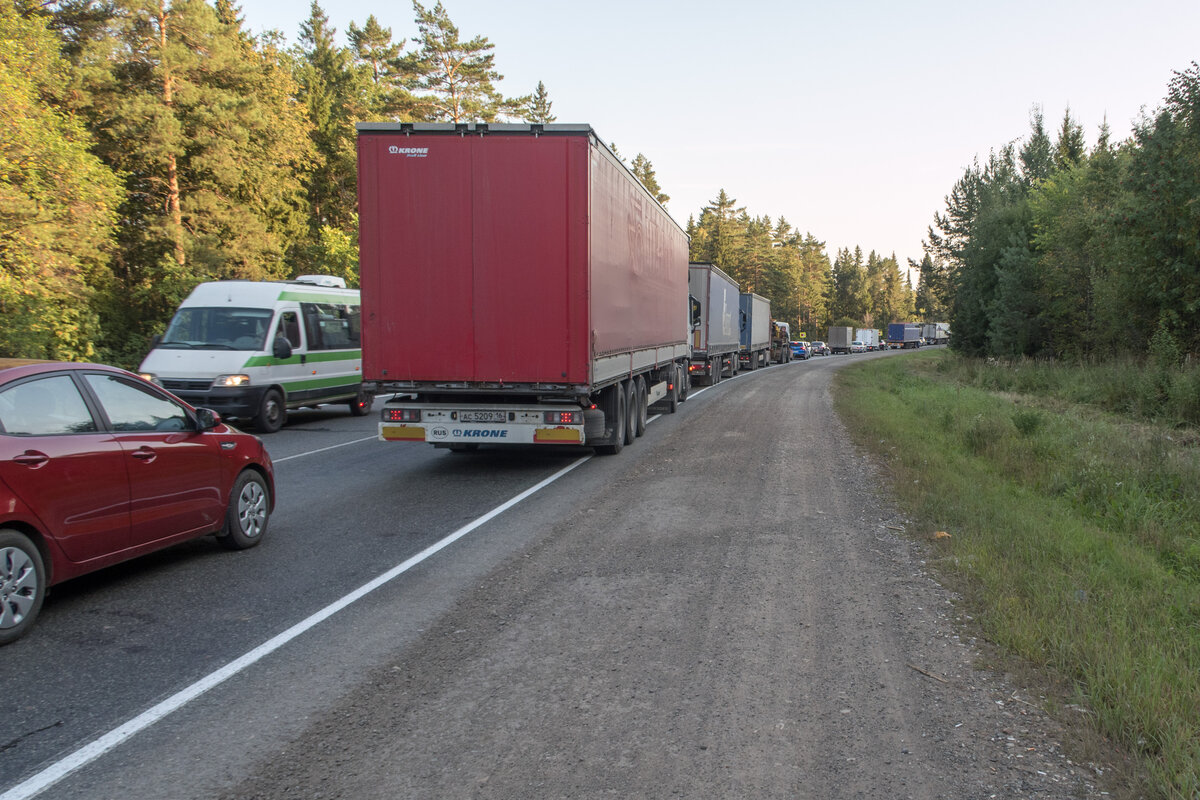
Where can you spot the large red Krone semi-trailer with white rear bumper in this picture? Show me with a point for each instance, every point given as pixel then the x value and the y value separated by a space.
pixel 519 286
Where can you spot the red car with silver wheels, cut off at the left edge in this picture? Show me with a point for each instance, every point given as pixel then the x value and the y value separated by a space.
pixel 99 466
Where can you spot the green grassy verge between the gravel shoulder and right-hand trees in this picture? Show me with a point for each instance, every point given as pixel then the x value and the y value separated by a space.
pixel 1075 531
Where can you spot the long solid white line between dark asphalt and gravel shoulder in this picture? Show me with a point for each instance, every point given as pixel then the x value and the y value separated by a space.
pixel 91 753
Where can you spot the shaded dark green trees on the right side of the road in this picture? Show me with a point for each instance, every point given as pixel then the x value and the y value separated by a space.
pixel 1053 249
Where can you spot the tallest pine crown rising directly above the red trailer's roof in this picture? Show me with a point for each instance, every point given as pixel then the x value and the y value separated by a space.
pixel 458 77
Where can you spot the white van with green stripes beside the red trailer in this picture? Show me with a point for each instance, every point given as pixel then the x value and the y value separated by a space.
pixel 253 350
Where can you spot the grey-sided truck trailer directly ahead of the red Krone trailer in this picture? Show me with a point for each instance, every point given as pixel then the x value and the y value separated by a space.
pixel 716 335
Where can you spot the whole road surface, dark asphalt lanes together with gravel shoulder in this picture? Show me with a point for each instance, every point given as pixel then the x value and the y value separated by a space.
pixel 719 611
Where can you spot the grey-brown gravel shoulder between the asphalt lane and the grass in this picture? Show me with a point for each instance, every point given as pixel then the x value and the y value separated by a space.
pixel 739 615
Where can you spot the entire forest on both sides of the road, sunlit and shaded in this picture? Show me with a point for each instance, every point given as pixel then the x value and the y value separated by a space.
pixel 151 146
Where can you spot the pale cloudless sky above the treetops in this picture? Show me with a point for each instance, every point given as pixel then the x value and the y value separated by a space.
pixel 853 121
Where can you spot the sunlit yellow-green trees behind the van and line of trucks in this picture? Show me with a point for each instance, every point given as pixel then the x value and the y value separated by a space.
pixel 148 146
